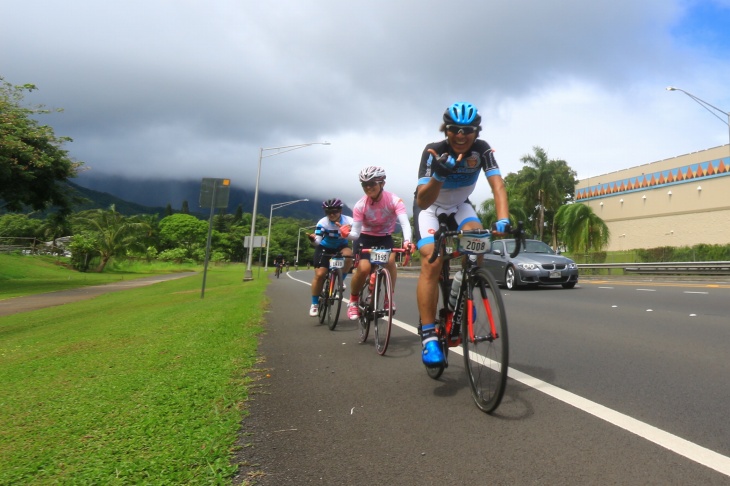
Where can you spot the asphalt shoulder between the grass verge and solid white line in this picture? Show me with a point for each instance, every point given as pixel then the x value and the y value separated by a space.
pixel 326 410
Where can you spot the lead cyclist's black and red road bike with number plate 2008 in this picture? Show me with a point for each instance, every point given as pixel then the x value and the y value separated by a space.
pixel 472 314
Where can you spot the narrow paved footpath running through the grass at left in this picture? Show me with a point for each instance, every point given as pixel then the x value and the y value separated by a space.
pixel 51 299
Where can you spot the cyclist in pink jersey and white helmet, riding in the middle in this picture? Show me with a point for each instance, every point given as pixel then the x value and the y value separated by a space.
pixel 374 218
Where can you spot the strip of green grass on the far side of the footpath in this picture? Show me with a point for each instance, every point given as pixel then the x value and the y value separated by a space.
pixel 26 275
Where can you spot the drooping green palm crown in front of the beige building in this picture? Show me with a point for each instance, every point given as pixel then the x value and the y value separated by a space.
pixel 581 229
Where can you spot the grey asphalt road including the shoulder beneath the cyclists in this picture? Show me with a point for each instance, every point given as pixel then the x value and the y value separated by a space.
pixel 611 383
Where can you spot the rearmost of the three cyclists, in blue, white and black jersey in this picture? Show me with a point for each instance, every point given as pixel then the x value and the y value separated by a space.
pixel 327 239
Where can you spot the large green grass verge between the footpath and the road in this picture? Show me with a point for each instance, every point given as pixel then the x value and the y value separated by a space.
pixel 144 386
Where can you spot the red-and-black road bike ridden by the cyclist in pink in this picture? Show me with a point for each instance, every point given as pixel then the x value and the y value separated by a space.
pixel 376 298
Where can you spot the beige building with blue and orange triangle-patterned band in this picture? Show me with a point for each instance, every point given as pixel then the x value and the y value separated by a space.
pixel 682 201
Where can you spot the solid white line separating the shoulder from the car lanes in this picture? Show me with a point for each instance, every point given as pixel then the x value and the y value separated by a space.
pixel 685 448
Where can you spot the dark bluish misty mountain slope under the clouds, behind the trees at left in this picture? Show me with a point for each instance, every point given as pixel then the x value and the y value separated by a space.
pixel 156 194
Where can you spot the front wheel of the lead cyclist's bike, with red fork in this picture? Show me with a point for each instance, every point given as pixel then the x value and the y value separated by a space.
pixel 485 342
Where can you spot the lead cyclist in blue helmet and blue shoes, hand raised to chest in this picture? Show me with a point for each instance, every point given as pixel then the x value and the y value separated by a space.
pixel 447 176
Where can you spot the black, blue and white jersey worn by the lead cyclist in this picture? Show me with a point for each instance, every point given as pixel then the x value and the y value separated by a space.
pixel 460 184
